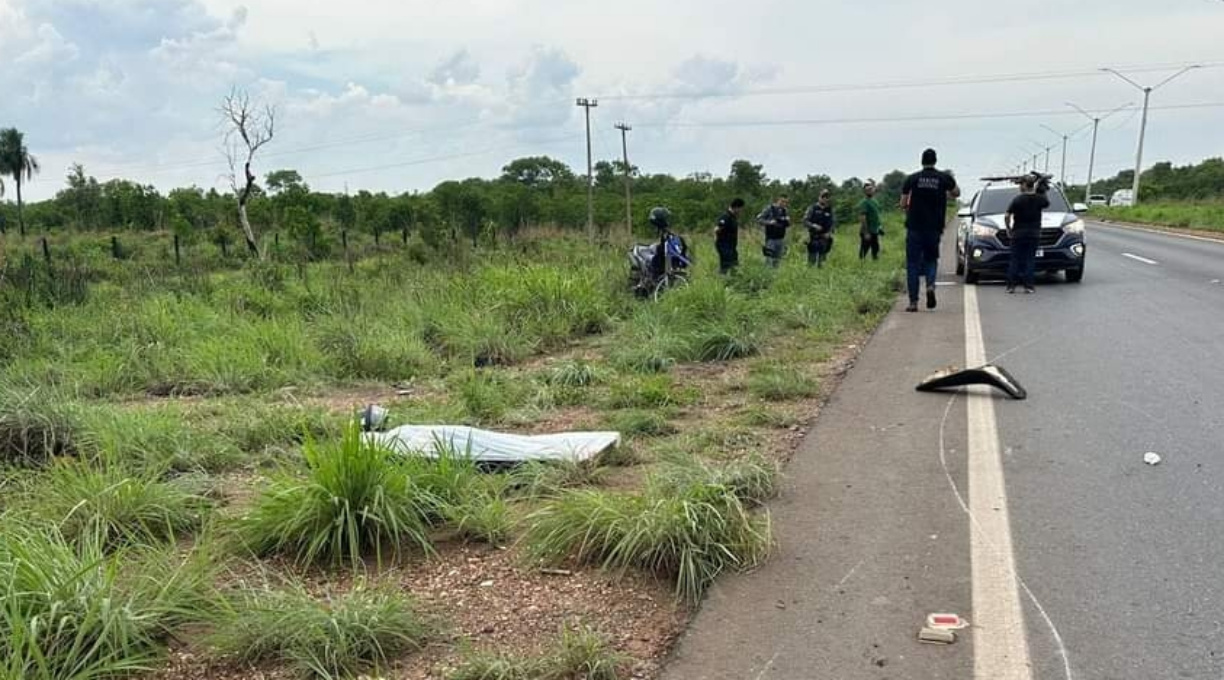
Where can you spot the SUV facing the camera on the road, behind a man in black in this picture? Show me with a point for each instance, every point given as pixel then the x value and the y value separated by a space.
pixel 983 244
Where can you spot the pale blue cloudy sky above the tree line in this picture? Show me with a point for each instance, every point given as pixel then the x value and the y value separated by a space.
pixel 400 95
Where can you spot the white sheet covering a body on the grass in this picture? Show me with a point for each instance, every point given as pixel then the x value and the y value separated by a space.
pixel 495 447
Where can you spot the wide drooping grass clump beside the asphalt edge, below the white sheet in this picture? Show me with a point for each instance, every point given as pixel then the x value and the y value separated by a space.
pixel 691 534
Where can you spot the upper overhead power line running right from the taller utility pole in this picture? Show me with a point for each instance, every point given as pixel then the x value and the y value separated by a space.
pixel 901 85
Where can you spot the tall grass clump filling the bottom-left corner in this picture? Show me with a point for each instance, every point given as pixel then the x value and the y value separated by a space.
pixel 69 611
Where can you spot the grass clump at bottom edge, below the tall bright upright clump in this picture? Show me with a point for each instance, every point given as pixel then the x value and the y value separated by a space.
pixel 334 637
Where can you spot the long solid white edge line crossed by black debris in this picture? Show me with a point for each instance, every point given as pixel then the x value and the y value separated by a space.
pixel 1001 643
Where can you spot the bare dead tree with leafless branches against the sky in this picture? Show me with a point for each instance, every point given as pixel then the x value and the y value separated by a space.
pixel 249 127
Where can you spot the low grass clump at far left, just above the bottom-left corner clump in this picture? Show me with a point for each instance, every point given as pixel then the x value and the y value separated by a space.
pixel 114 506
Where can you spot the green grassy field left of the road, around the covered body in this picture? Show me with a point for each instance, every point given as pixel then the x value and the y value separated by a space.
pixel 184 495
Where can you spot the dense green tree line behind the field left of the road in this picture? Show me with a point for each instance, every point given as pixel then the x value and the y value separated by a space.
pixel 533 191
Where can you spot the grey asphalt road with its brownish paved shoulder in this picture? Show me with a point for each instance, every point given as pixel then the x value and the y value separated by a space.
pixel 1125 561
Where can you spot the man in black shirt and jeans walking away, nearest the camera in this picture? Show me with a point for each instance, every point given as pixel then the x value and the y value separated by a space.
pixel 925 199
